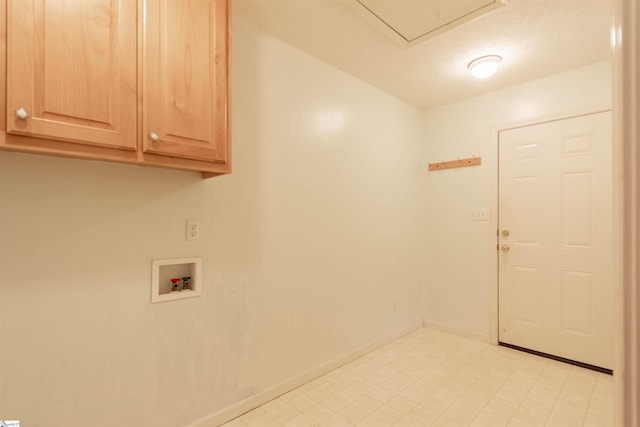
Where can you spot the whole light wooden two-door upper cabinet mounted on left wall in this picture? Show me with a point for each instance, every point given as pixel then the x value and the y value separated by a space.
pixel 134 81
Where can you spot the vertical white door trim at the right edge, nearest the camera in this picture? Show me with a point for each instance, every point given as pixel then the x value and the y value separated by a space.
pixel 626 130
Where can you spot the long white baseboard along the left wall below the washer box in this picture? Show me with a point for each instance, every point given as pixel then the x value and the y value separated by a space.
pixel 259 399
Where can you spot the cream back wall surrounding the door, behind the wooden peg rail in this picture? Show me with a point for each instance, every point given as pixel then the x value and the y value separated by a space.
pixel 458 258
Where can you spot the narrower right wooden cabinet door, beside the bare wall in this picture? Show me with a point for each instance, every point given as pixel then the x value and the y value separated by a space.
pixel 185 76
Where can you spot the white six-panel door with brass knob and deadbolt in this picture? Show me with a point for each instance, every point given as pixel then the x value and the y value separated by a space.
pixel 555 239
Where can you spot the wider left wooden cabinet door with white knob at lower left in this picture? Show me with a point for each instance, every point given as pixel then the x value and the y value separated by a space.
pixel 71 71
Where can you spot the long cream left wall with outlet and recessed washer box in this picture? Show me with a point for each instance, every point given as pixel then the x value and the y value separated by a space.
pixel 306 246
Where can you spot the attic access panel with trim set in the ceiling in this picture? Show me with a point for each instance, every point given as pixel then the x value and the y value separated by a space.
pixel 410 22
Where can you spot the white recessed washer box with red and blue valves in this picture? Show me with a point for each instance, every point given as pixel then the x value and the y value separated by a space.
pixel 173 279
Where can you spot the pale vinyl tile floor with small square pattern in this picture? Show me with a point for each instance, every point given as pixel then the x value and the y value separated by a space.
pixel 430 378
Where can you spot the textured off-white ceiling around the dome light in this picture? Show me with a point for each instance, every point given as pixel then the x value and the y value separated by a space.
pixel 535 38
